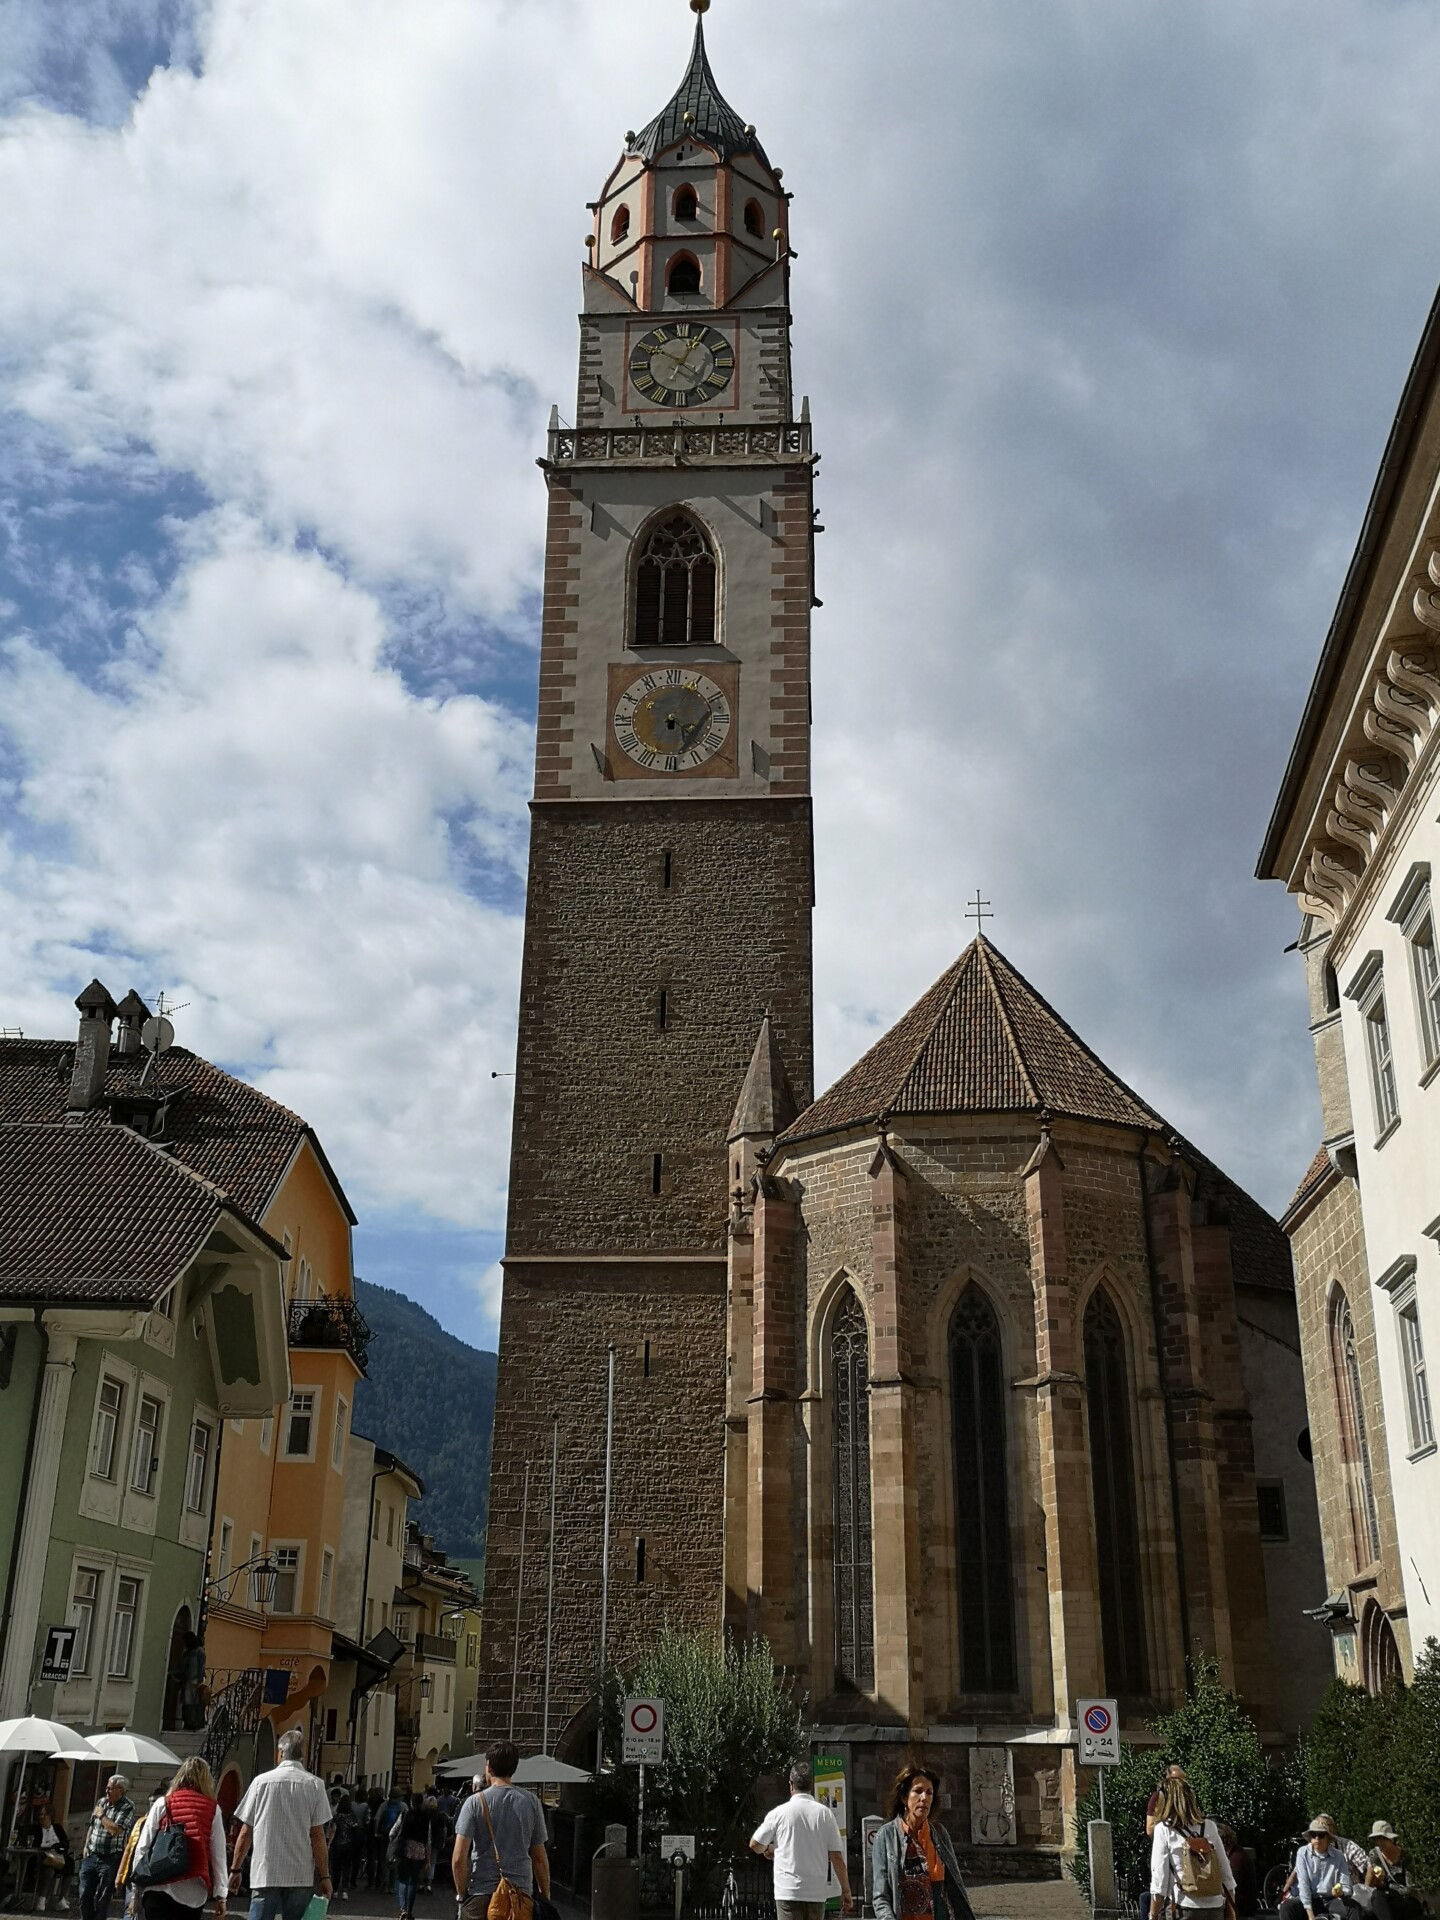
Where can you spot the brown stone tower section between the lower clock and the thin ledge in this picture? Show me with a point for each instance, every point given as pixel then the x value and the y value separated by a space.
pixel 602 1088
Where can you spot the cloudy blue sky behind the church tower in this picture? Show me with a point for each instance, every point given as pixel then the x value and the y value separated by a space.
pixel 1103 306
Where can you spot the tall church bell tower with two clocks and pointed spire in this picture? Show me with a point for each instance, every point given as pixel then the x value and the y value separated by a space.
pixel 669 903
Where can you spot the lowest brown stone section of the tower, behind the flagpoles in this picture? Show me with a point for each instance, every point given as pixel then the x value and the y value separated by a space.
pixel 669 1458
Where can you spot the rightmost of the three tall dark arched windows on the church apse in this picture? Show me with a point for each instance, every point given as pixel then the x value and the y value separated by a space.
pixel 1116 1510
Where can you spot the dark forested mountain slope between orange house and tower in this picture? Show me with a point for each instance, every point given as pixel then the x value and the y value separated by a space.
pixel 431 1399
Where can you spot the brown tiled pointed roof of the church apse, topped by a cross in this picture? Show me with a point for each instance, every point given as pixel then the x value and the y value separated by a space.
pixel 982 1042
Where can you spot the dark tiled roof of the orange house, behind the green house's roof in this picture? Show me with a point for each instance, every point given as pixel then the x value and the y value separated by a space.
pixel 226 1132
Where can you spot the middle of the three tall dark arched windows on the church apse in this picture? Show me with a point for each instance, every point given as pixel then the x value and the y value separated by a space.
pixel 982 1499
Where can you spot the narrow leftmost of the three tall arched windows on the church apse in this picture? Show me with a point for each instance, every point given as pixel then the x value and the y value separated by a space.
pixel 855 1587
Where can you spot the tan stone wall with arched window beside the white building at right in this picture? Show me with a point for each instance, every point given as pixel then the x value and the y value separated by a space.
pixel 1330 1249
